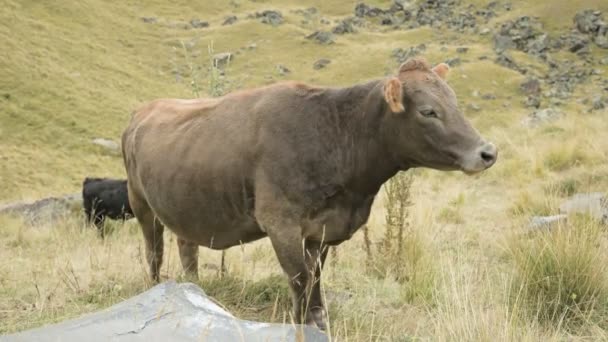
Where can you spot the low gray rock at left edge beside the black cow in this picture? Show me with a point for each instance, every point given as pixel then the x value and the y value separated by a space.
pixel 43 211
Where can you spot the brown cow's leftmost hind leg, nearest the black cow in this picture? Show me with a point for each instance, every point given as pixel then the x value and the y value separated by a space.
pixel 152 230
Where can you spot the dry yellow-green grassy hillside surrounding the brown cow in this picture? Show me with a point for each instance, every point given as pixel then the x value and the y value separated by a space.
pixel 71 72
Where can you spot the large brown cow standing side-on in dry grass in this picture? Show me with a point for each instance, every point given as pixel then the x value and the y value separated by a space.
pixel 299 164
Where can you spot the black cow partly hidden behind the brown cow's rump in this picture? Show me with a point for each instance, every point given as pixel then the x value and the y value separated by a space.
pixel 105 197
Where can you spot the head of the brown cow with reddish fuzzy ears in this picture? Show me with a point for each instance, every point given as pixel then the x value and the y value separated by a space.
pixel 425 127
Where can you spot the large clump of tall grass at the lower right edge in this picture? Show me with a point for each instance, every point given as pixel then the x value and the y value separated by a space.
pixel 560 276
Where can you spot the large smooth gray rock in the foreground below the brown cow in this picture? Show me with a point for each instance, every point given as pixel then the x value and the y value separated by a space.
pixel 166 312
